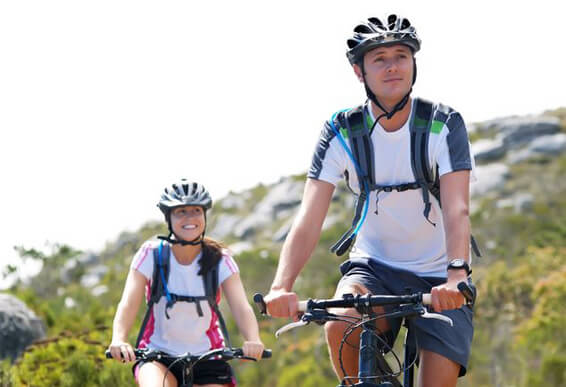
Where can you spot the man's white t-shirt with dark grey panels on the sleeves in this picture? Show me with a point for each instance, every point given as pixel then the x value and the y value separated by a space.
pixel 399 235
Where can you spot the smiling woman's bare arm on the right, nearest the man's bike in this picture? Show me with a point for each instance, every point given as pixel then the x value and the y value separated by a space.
pixel 243 314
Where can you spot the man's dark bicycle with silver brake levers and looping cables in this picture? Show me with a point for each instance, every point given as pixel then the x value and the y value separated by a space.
pixel 374 370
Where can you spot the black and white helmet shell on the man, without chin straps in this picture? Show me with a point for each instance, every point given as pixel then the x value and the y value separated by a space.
pixel 374 33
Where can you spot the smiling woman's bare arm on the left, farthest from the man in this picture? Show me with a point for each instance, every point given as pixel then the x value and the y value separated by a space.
pixel 126 314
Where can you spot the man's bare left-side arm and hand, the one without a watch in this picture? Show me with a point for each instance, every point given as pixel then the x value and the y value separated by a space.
pixel 298 247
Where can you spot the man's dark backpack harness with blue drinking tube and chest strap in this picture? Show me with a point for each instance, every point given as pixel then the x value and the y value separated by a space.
pixel 354 124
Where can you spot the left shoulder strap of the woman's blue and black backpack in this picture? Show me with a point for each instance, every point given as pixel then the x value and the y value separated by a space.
pixel 157 284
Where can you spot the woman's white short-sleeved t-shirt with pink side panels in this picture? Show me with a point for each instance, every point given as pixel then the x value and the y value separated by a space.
pixel 185 330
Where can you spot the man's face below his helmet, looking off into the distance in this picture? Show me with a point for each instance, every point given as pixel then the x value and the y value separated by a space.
pixel 388 72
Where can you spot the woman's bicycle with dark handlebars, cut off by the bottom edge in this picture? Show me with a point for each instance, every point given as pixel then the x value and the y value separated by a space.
pixel 188 361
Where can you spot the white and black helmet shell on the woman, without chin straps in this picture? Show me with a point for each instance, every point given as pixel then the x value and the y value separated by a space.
pixel 184 193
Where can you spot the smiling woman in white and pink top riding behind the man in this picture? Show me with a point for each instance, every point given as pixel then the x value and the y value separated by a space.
pixel 179 327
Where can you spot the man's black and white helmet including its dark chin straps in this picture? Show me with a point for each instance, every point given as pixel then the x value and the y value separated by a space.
pixel 374 33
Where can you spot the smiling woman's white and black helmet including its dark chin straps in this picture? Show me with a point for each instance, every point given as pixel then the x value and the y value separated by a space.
pixel 180 194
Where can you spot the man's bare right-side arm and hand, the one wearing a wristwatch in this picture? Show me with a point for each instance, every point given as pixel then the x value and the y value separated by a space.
pixel 455 195
